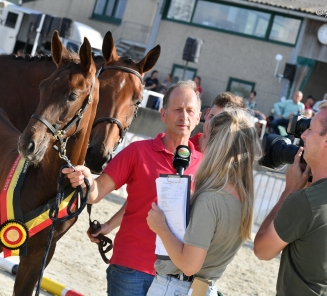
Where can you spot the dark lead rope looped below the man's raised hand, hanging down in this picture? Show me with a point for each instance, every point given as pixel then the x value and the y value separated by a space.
pixel 54 211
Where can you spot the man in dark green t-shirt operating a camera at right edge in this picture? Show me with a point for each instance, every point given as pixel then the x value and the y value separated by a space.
pixel 297 225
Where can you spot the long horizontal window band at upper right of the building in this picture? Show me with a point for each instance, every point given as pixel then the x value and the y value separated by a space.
pixel 236 19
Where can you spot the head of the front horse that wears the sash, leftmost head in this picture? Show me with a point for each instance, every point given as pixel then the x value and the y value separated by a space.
pixel 69 94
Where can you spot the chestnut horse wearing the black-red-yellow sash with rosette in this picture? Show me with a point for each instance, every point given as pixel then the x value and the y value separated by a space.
pixel 70 91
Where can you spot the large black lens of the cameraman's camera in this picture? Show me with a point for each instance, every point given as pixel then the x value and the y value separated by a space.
pixel 278 151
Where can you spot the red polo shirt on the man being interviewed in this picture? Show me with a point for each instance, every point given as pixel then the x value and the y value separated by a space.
pixel 138 165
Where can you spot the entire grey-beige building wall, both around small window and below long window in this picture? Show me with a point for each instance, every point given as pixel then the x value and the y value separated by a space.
pixel 223 55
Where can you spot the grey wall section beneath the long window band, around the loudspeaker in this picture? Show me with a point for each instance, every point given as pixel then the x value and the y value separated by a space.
pixel 224 56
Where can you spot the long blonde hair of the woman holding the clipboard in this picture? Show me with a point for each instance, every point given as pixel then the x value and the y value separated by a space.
pixel 232 148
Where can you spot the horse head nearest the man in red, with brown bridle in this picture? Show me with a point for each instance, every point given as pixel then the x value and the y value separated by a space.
pixel 121 92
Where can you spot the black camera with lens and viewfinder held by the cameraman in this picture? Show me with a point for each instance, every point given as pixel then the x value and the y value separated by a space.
pixel 279 151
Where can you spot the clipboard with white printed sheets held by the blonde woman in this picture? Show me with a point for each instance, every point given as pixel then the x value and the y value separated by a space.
pixel 173 193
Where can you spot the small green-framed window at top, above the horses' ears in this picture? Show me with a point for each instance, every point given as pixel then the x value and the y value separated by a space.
pixel 109 10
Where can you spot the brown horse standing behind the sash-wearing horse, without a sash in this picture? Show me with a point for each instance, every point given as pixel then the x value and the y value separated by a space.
pixel 120 94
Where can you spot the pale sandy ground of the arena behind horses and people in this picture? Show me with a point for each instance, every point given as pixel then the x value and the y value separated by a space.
pixel 78 265
